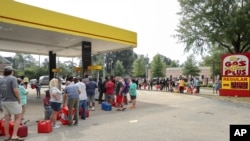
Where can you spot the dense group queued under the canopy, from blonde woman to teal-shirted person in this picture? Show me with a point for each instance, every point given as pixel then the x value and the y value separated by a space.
pixel 79 94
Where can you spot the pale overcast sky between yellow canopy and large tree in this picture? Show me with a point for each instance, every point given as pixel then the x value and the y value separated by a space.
pixel 154 21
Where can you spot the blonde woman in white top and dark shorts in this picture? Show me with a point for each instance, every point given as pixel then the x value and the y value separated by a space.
pixel 55 101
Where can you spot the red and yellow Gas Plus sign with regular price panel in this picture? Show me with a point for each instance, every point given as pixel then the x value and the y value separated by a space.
pixel 235 75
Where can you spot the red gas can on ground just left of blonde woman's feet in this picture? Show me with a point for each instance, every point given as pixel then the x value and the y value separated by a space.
pixel 44 126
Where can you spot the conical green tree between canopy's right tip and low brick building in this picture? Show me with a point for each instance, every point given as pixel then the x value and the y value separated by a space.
pixel 158 66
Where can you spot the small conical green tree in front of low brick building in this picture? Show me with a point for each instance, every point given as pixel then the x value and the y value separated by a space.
pixel 190 67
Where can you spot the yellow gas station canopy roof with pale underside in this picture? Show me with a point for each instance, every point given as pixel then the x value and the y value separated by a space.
pixel 28 29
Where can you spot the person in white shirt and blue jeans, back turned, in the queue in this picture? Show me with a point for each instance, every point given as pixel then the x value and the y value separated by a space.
pixel 82 97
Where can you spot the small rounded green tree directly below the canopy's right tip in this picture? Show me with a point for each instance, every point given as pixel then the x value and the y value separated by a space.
pixel 139 69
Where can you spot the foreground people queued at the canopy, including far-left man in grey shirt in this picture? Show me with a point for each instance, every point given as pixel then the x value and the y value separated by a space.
pixel 76 94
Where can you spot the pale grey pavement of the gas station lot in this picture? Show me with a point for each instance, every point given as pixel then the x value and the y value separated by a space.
pixel 159 116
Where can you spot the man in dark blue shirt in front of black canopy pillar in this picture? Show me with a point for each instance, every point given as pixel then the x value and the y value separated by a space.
pixel 90 89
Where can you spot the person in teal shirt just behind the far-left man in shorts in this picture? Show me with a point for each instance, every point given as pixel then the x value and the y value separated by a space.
pixel 23 95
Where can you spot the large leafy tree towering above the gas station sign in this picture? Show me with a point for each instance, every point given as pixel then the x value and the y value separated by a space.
pixel 222 23
